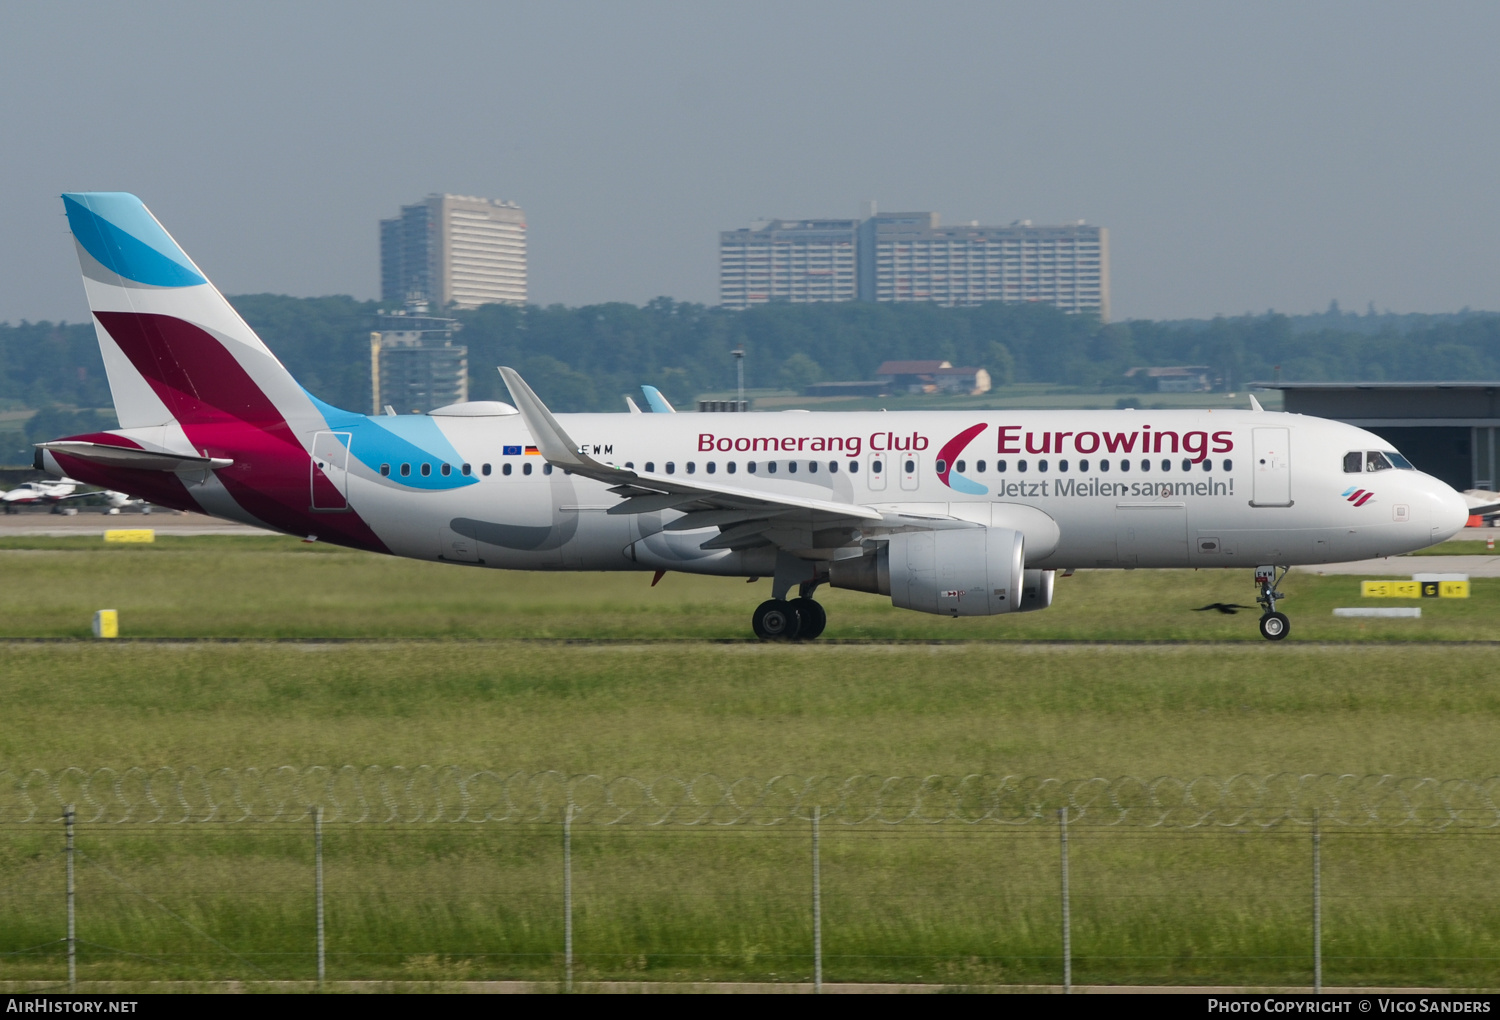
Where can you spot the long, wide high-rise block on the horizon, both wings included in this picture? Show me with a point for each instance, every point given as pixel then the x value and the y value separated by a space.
pixel 911 257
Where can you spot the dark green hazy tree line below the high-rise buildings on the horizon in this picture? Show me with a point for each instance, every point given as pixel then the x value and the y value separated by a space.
pixel 583 359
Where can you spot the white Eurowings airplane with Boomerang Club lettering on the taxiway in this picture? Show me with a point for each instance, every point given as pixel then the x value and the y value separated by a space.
pixel 956 514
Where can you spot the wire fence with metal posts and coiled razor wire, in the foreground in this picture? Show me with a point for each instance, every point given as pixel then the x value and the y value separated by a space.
pixel 442 874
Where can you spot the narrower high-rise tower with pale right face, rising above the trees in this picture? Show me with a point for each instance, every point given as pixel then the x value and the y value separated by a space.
pixel 455 251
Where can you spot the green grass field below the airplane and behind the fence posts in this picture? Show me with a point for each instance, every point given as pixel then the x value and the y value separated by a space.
pixel 470 668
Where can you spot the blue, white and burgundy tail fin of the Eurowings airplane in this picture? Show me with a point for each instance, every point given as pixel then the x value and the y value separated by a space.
pixel 175 350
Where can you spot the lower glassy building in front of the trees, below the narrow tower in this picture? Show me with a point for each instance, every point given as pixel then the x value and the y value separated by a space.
pixel 415 362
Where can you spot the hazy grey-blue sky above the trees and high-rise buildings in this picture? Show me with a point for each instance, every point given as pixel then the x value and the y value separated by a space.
pixel 1244 157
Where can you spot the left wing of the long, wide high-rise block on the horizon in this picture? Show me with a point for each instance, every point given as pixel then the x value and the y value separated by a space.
pixel 788 262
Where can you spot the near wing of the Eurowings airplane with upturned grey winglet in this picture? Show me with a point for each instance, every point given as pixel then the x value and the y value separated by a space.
pixel 745 517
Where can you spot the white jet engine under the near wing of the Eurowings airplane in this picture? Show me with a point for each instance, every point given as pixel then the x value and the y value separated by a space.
pixel 967 572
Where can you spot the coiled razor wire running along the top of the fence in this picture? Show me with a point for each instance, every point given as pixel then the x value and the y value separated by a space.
pixel 430 794
